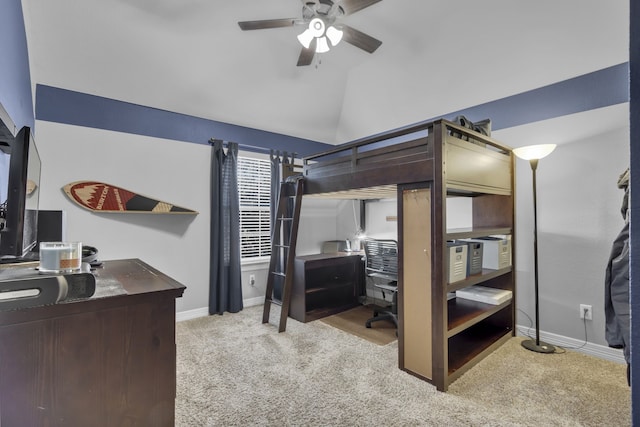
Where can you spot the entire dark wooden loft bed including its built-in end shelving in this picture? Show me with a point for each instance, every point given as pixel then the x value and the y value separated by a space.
pixel 422 165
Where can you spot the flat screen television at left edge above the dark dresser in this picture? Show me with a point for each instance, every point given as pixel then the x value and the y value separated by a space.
pixel 21 187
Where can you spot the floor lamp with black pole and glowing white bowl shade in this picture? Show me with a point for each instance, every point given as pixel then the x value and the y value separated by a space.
pixel 533 153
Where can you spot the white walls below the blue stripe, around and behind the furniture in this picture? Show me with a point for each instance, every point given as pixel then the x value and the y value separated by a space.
pixel 578 218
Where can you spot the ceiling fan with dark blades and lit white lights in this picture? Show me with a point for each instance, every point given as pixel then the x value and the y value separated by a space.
pixel 324 29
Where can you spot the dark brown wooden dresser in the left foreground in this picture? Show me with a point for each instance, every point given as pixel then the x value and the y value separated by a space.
pixel 107 361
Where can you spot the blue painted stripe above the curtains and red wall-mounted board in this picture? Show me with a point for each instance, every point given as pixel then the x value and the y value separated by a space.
pixel 80 109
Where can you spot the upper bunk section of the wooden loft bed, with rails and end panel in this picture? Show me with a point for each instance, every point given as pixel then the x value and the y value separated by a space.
pixel 360 164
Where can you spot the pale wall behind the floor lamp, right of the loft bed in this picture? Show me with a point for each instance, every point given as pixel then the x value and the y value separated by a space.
pixel 578 219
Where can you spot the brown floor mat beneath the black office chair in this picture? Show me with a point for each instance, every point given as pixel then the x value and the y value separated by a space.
pixel 353 321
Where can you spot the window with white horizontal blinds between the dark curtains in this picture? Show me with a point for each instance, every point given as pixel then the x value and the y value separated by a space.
pixel 254 189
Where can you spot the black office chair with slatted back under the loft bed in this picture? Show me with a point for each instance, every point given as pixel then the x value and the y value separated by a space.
pixel 381 265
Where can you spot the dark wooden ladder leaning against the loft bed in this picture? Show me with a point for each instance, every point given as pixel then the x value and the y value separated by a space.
pixel 283 249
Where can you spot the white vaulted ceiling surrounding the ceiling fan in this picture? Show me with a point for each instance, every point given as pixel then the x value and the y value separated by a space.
pixel 190 56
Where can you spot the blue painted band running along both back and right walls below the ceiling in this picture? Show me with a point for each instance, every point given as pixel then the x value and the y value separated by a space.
pixel 602 88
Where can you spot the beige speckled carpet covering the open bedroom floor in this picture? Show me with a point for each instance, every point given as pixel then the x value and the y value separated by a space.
pixel 234 371
